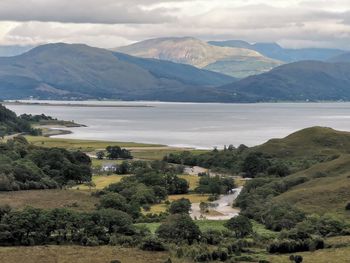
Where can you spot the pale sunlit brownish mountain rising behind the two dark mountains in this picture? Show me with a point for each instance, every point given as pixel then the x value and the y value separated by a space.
pixel 234 61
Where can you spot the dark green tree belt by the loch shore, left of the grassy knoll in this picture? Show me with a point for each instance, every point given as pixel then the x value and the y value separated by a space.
pixel 249 163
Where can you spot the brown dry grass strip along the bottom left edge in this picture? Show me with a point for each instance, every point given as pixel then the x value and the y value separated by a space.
pixel 78 254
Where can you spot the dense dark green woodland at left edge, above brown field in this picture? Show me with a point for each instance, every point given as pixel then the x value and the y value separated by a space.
pixel 24 166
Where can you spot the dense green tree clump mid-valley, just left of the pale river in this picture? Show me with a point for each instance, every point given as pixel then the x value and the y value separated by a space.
pixel 150 184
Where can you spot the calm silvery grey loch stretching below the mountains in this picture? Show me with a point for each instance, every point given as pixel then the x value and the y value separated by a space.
pixel 193 124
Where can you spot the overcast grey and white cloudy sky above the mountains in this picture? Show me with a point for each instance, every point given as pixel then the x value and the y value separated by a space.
pixel 113 23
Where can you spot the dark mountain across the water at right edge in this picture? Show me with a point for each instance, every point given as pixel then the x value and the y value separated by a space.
pixel 299 81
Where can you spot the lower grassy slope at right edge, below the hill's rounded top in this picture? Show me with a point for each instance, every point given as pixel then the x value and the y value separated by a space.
pixel 327 188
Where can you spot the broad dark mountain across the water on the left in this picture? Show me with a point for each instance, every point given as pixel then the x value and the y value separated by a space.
pixel 81 72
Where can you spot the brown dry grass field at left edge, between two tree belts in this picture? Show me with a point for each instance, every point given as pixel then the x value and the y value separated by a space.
pixel 48 199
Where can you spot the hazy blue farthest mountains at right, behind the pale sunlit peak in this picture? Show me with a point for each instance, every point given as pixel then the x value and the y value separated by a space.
pixel 275 51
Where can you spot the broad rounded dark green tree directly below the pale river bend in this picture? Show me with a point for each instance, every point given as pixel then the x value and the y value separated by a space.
pixel 178 228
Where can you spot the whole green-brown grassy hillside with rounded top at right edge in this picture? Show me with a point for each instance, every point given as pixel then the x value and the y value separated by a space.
pixel 325 185
